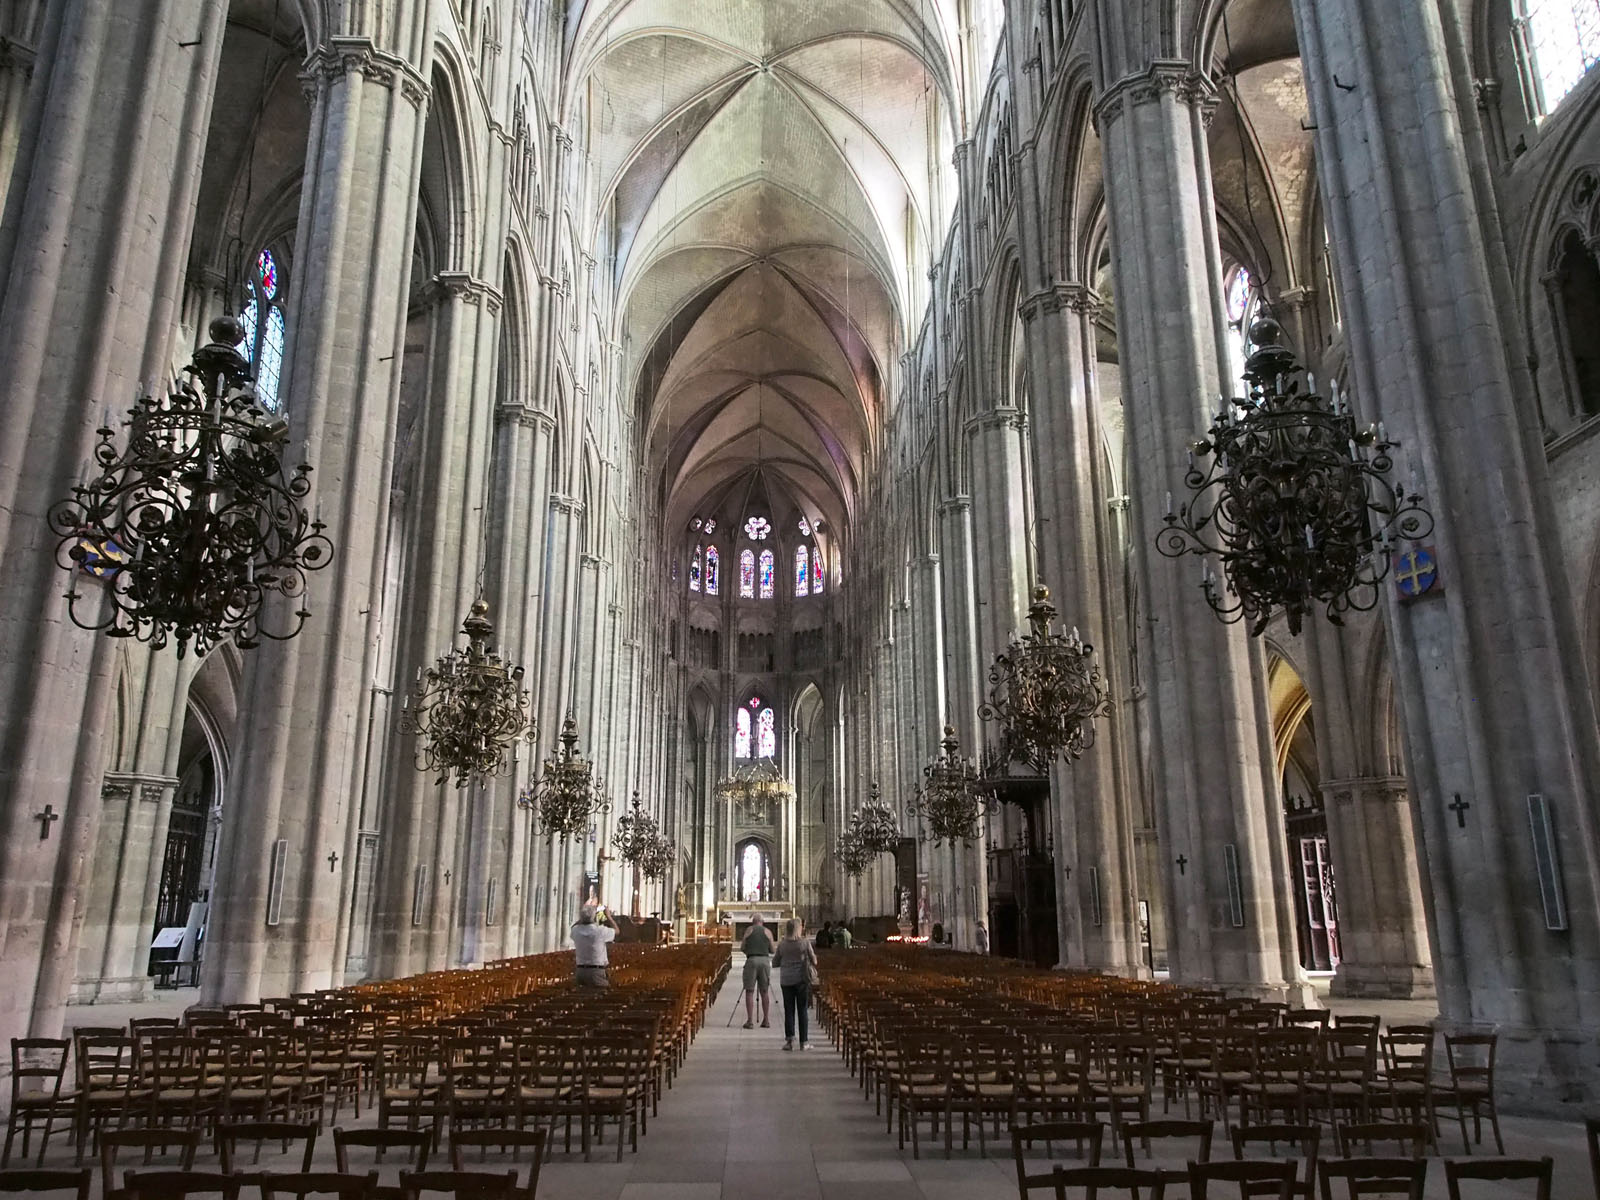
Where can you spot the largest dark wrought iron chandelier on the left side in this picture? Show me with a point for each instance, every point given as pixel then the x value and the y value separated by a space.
pixel 196 521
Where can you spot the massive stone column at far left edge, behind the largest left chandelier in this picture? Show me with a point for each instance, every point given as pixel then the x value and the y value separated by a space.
pixel 92 257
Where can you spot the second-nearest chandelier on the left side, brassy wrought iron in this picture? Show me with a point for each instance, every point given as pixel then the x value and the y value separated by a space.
pixel 470 708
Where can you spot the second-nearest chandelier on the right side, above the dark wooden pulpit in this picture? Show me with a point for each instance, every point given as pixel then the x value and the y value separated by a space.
pixel 1047 692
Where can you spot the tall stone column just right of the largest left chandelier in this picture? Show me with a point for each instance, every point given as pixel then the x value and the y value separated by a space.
pixel 308 700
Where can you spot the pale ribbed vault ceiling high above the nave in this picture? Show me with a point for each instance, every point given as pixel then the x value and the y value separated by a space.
pixel 777 175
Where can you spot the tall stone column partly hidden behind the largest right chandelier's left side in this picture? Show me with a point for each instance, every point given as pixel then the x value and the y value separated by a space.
pixel 1217 809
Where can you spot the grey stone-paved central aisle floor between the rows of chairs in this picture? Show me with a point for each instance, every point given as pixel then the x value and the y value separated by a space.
pixel 751 1122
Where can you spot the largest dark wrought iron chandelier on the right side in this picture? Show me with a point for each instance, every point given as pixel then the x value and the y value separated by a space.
pixel 1295 500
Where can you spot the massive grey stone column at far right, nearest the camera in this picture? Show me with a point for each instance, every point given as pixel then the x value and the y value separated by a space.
pixel 1498 716
